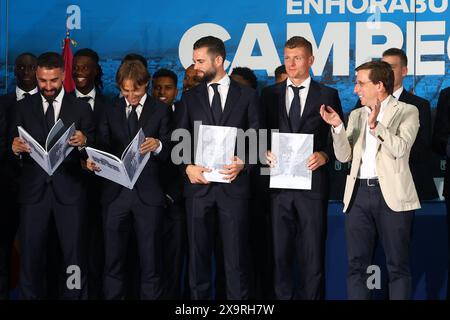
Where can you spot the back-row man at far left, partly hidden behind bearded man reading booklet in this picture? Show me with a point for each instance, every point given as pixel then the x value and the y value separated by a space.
pixel 25 73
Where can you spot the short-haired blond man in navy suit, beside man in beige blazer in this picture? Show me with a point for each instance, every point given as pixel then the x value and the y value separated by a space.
pixel 299 217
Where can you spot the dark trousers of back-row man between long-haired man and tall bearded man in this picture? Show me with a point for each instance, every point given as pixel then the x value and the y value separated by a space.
pixel 175 250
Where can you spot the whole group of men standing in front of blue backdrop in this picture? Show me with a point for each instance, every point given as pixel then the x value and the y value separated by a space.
pixel 171 205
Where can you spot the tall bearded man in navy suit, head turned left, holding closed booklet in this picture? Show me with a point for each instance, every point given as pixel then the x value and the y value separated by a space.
pixel 219 101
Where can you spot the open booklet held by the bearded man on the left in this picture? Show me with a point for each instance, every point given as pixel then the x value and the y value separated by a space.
pixel 57 146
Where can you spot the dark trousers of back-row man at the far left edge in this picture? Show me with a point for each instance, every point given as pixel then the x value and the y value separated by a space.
pixel 9 223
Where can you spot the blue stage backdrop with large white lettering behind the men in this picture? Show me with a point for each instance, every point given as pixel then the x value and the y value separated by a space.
pixel 344 34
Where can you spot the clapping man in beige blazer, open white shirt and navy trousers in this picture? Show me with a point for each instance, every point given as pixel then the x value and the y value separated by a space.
pixel 380 196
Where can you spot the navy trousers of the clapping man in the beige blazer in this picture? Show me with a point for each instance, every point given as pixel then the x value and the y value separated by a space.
pixel 369 217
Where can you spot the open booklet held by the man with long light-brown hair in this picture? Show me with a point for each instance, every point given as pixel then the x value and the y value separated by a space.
pixel 124 171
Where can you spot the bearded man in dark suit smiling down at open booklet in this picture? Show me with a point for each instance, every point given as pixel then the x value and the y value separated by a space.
pixel 61 195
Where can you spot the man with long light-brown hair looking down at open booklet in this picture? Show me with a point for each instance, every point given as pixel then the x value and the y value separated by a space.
pixel 146 122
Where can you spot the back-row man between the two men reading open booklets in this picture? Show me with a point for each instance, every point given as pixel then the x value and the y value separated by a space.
pixel 87 75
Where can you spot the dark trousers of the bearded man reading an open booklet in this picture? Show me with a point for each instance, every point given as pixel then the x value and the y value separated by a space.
pixel 34 233
